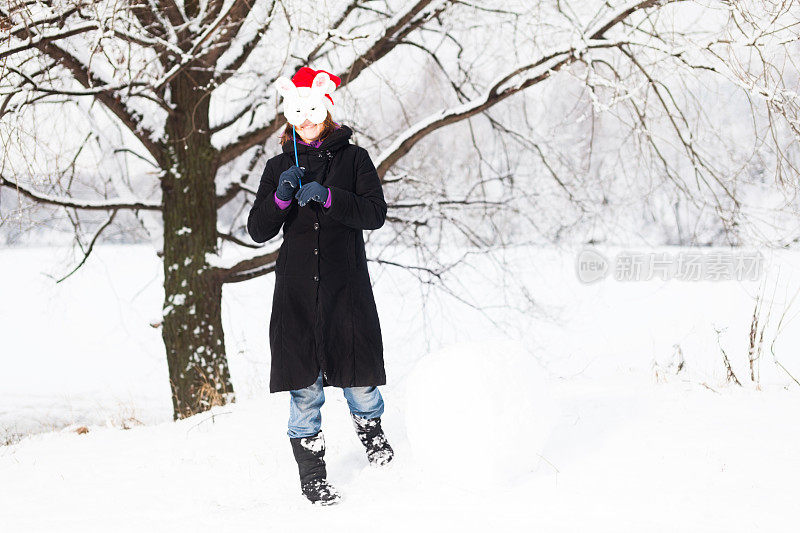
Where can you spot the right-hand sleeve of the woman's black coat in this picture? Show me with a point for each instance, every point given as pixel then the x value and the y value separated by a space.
pixel 365 208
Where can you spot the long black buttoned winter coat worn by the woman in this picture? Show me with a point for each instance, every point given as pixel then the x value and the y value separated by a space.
pixel 323 309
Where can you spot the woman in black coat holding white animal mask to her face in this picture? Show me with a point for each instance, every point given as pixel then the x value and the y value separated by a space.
pixel 324 327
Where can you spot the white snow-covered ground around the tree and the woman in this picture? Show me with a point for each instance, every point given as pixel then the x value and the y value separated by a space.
pixel 628 444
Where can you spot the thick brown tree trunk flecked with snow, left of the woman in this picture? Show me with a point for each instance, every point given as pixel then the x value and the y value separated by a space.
pixel 192 326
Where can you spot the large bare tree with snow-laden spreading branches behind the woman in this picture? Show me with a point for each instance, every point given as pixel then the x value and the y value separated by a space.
pixel 181 91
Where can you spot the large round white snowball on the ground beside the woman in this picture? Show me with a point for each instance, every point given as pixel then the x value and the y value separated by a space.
pixel 479 412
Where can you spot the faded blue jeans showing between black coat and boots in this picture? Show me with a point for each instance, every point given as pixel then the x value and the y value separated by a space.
pixel 305 419
